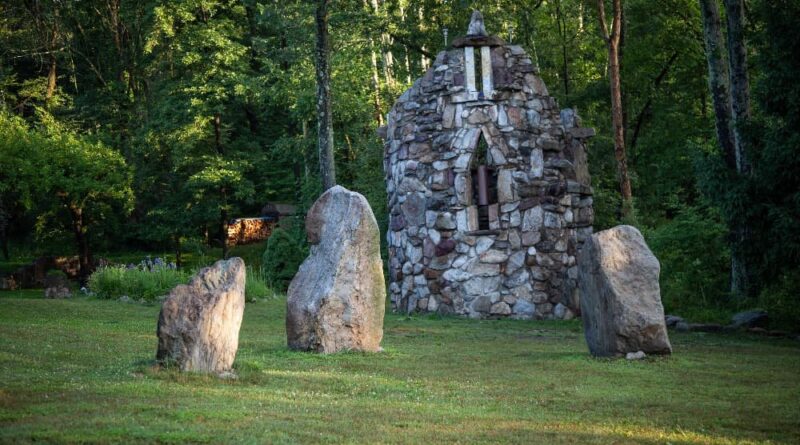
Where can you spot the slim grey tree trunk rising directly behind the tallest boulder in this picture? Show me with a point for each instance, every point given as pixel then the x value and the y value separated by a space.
pixel 324 117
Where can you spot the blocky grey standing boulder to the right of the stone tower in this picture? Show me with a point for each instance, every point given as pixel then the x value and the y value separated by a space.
pixel 620 297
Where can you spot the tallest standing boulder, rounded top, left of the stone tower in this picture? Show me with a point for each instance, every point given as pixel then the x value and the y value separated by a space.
pixel 337 299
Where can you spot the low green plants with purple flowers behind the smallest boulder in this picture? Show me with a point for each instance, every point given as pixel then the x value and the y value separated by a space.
pixel 116 281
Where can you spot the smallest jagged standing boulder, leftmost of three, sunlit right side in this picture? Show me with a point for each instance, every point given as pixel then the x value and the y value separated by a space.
pixel 198 327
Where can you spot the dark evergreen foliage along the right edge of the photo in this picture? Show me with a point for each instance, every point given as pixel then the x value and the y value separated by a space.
pixel 767 199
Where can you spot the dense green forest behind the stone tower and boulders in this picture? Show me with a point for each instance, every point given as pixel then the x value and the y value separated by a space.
pixel 147 125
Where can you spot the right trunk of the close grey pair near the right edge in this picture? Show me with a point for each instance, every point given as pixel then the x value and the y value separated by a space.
pixel 740 85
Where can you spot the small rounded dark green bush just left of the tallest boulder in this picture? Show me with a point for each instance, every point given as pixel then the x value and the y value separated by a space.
pixel 286 250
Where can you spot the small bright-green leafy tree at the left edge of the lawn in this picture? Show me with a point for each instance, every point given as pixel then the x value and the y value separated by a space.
pixel 75 185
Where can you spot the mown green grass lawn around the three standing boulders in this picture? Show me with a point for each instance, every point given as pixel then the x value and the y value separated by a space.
pixel 81 370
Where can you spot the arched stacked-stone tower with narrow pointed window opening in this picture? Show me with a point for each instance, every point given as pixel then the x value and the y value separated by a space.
pixel 488 185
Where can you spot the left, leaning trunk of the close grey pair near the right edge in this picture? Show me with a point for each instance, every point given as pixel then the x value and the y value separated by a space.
pixel 718 79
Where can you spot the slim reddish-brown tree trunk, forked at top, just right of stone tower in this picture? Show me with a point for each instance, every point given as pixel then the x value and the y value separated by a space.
pixel 613 43
